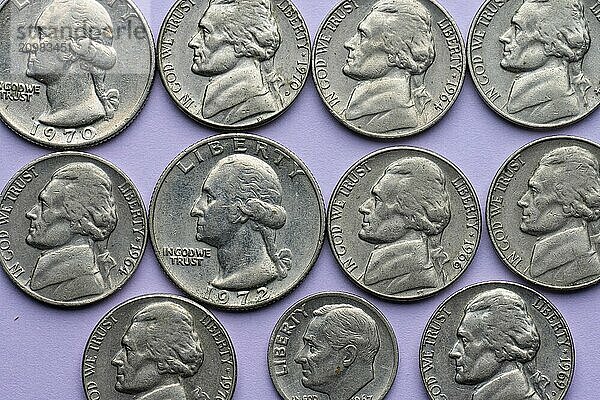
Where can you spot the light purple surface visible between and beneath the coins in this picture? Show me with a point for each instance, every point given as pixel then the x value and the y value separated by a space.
pixel 41 346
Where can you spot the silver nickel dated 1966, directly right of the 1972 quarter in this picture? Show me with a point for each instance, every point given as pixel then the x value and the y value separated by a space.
pixel 404 223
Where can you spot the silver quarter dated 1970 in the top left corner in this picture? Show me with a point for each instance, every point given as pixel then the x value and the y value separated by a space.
pixel 73 73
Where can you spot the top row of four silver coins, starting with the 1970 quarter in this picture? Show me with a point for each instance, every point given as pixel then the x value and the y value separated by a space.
pixel 386 68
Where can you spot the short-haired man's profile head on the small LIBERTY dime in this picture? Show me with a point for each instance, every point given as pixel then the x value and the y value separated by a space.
pixel 340 345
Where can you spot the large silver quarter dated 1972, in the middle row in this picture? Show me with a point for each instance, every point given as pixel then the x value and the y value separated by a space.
pixel 237 221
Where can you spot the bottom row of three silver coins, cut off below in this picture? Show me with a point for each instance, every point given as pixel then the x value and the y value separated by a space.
pixel 483 339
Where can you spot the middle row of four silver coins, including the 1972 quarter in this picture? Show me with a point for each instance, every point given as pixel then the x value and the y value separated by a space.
pixel 403 223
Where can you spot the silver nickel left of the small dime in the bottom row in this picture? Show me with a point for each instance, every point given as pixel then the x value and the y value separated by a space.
pixel 159 347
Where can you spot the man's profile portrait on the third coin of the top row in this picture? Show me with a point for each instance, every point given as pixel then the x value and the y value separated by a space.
pixel 389 55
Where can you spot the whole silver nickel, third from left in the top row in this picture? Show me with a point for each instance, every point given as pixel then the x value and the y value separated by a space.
pixel 388 68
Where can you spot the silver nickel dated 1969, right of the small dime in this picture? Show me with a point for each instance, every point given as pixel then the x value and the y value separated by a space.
pixel 497 341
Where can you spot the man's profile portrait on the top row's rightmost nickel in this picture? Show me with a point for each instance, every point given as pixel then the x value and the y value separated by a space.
pixel 545 46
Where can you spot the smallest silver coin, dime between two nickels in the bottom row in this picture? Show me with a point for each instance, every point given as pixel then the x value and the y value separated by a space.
pixel 333 345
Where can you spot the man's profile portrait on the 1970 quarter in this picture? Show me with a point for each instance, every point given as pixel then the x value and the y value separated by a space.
pixel 80 34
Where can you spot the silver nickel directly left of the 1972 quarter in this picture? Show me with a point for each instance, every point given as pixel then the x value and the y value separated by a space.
pixel 73 228
